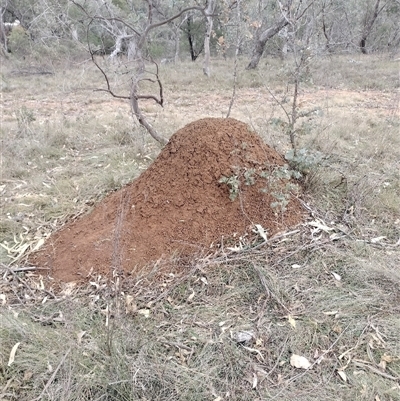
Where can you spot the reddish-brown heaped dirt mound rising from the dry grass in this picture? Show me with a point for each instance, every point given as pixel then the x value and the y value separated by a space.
pixel 178 205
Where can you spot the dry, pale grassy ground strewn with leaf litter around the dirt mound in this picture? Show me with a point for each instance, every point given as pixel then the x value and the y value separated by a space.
pixel 64 147
